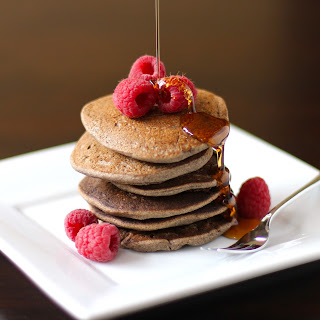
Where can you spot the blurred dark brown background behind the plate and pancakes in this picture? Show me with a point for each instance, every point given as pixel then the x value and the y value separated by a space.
pixel 261 56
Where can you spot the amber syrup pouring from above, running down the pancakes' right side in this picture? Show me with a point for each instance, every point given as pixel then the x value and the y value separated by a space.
pixel 204 127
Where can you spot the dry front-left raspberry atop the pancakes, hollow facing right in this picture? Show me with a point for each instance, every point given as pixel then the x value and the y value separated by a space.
pixel 134 97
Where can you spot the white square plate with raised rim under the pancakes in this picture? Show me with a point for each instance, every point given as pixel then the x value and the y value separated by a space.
pixel 38 189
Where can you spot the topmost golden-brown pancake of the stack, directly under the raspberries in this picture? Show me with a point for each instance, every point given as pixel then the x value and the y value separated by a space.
pixel 155 137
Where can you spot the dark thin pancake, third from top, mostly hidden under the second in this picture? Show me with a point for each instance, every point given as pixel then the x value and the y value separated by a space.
pixel 197 180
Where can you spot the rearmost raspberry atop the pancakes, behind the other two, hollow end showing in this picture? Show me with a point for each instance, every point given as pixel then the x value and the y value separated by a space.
pixel 145 68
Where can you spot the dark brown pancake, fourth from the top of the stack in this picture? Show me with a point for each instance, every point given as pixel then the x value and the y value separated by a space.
pixel 110 199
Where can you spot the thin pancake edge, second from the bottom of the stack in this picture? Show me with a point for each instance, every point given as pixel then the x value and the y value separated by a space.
pixel 208 211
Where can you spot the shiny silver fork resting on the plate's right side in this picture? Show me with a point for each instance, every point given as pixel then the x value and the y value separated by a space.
pixel 257 239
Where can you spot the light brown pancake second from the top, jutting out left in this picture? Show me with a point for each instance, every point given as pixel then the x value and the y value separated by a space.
pixel 93 159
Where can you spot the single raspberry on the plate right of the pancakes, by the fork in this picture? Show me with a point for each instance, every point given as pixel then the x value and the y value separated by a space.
pixel 253 199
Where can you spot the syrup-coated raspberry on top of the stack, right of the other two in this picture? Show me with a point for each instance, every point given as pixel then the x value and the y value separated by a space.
pixel 174 93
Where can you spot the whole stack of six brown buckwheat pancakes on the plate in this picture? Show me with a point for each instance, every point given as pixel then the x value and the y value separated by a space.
pixel 150 178
